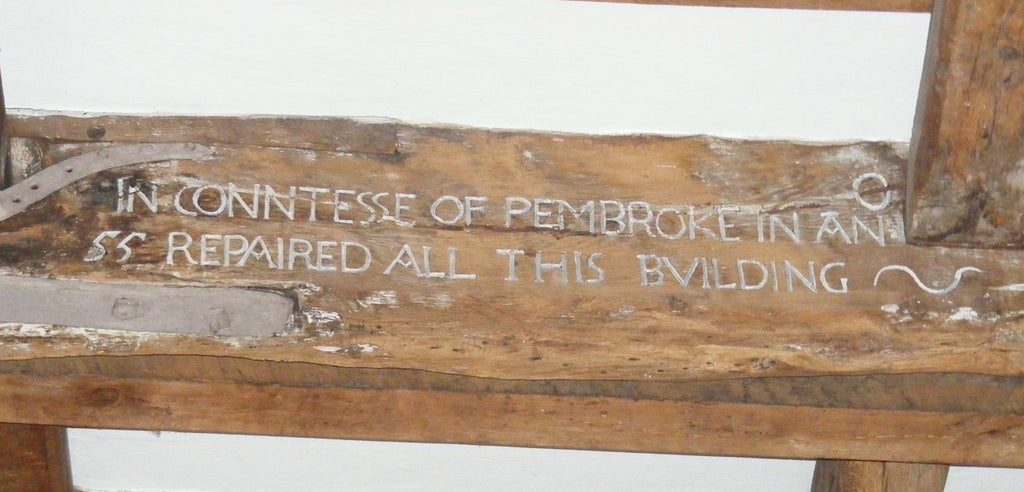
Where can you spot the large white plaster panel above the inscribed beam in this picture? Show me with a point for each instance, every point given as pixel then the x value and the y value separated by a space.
pixel 514 64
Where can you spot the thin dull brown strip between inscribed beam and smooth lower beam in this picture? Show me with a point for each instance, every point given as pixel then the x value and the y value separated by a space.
pixel 916 393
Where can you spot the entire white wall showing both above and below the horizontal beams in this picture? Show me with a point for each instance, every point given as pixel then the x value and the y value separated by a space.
pixel 510 64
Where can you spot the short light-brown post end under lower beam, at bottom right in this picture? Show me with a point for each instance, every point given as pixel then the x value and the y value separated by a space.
pixel 839 476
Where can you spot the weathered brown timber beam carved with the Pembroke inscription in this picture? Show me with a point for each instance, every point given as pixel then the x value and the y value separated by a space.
pixel 828 285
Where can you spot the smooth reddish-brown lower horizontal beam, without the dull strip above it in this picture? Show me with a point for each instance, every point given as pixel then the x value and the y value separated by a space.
pixel 612 424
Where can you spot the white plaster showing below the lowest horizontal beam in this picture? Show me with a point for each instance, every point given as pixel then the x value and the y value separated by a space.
pixel 109 462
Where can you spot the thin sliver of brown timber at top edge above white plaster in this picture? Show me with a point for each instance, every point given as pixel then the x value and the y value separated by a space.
pixel 881 6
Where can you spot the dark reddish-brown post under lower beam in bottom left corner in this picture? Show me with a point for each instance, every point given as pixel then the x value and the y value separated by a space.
pixel 34 459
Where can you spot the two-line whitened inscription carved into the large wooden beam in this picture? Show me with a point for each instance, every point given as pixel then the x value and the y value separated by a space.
pixel 870 226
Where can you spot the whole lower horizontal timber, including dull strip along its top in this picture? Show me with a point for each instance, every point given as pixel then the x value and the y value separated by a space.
pixel 753 417
